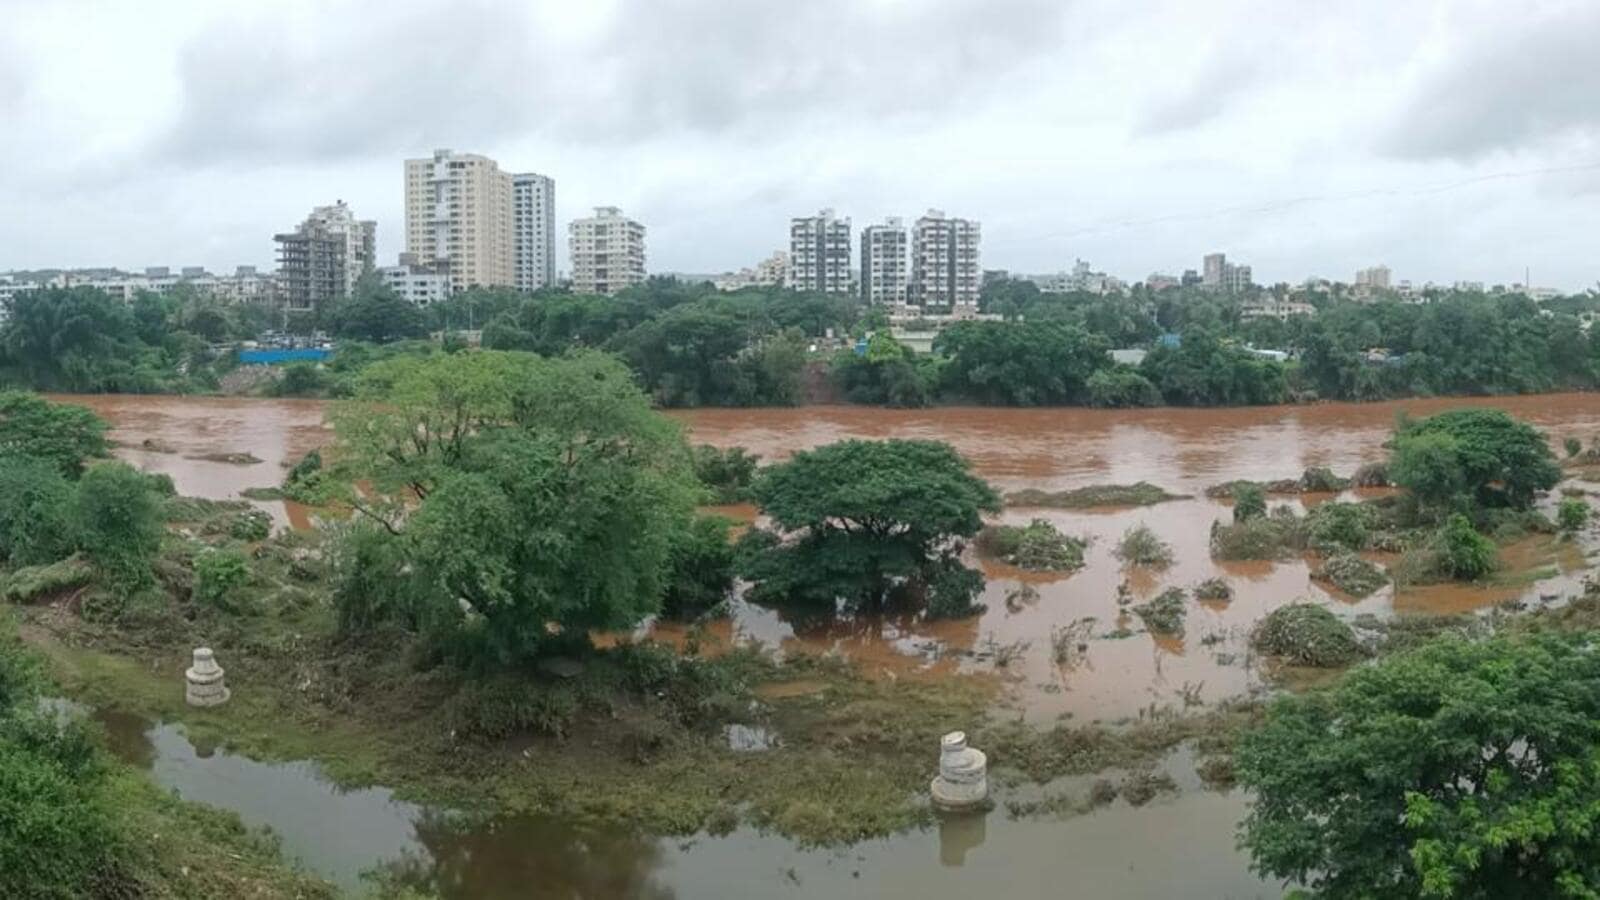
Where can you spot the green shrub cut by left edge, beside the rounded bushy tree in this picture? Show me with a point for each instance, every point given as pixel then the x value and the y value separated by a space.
pixel 36 504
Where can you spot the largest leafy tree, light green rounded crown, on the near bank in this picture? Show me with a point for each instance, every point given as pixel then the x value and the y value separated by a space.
pixel 546 496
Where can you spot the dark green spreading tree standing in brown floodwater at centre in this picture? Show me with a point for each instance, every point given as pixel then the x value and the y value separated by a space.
pixel 870 521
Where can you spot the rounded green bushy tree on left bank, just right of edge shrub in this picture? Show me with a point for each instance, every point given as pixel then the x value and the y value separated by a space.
pixel 118 518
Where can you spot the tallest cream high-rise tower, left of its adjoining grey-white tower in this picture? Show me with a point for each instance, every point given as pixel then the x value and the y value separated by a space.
pixel 458 219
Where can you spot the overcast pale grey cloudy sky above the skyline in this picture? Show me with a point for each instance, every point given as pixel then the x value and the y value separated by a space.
pixel 1450 140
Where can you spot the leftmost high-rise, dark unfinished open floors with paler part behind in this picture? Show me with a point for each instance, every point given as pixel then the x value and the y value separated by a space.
pixel 324 257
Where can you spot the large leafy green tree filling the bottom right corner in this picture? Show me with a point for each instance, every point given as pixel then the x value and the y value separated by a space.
pixel 1463 769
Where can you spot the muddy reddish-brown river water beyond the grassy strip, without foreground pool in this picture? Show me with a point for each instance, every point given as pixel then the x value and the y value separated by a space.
pixel 1114 678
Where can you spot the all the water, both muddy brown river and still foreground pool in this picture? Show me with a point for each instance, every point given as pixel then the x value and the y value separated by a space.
pixel 1180 846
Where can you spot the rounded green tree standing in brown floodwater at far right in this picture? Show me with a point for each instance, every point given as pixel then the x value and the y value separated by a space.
pixel 1470 457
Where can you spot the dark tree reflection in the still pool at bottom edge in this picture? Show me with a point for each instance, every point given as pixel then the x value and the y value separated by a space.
pixel 527 858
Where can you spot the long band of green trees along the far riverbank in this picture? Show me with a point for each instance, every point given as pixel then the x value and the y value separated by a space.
pixel 694 347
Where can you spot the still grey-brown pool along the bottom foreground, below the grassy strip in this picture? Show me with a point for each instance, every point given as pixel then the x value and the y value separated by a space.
pixel 1180 845
